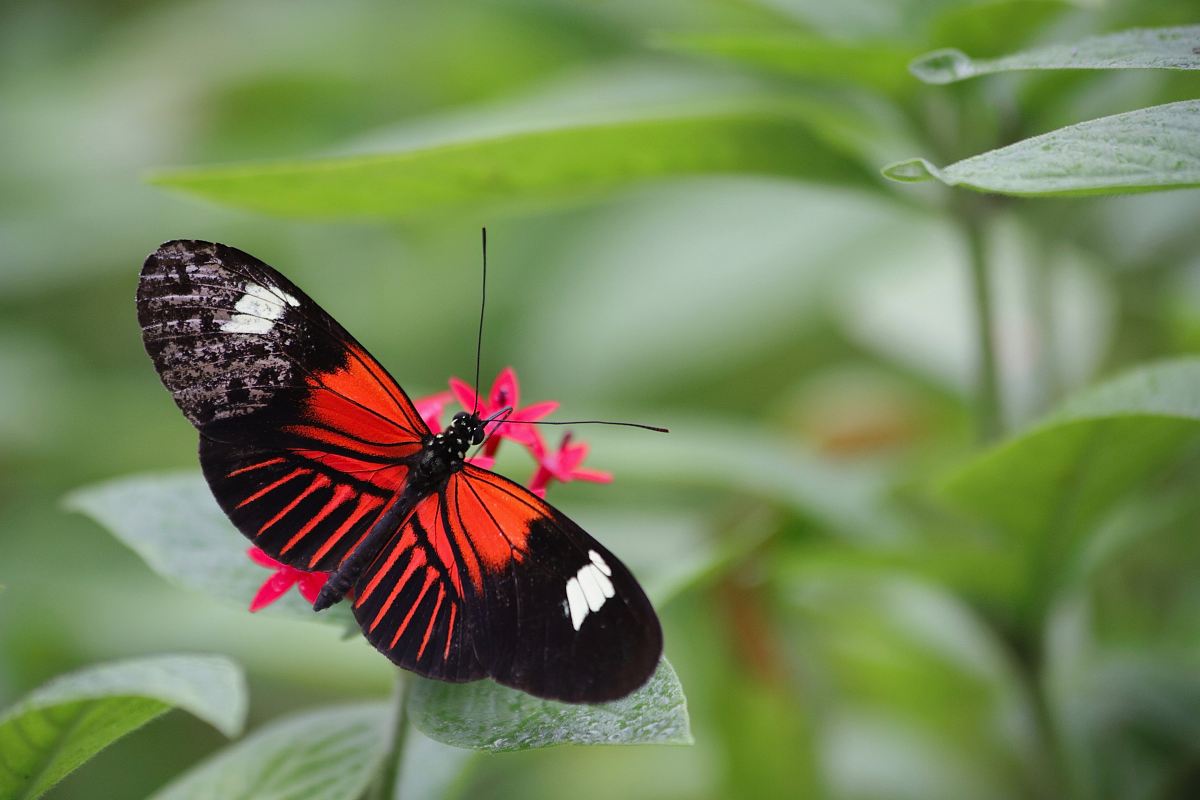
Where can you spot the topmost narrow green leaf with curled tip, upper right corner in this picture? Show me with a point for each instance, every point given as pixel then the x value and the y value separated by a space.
pixel 1147 49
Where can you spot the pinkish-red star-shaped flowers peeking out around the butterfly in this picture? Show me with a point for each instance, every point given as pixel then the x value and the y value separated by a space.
pixel 563 465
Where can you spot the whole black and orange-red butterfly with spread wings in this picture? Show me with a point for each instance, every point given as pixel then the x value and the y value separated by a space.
pixel 322 461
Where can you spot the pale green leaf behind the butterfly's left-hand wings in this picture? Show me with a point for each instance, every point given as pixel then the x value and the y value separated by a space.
pixel 176 526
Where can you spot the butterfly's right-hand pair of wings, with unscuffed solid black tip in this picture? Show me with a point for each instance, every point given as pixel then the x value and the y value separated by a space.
pixel 485 579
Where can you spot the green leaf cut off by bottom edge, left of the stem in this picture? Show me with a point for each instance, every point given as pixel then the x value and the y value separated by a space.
pixel 327 755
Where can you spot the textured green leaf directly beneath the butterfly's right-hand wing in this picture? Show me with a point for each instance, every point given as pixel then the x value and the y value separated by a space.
pixel 484 715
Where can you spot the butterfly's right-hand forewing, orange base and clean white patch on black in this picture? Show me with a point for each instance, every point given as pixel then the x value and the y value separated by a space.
pixel 556 613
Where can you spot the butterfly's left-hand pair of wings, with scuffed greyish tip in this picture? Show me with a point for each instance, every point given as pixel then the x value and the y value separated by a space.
pixel 304 437
